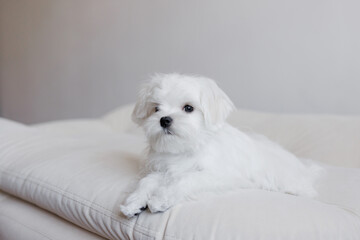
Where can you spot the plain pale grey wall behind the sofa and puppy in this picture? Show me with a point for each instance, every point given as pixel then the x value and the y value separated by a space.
pixel 81 58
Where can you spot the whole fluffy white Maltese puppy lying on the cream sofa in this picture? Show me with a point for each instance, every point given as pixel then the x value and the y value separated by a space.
pixel 192 149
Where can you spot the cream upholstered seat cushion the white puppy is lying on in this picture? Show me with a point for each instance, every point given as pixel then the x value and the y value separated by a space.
pixel 82 170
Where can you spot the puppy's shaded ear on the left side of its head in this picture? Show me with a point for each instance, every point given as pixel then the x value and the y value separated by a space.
pixel 143 107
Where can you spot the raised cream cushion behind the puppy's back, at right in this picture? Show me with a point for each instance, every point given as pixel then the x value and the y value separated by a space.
pixel 330 139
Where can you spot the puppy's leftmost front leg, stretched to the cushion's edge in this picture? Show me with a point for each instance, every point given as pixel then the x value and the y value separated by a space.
pixel 136 201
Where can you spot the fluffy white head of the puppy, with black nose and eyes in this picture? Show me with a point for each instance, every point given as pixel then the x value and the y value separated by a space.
pixel 177 112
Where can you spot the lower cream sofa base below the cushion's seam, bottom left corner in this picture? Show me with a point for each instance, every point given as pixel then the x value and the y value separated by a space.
pixel 21 220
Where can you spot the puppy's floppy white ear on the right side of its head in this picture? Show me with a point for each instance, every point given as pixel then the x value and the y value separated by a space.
pixel 216 105
